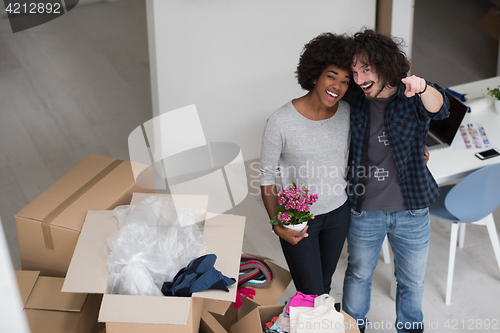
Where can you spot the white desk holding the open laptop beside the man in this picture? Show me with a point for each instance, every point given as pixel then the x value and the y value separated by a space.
pixel 449 164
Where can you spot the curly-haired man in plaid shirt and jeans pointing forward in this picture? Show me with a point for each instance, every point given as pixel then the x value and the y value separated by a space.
pixel 390 187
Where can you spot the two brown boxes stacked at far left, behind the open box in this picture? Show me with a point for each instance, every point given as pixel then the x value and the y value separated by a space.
pixel 48 229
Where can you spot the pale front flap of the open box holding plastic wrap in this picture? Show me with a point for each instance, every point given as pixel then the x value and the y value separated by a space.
pixel 145 309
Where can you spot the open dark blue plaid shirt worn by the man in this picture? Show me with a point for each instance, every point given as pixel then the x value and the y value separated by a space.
pixel 406 123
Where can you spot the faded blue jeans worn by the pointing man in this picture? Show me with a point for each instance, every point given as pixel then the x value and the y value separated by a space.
pixel 408 233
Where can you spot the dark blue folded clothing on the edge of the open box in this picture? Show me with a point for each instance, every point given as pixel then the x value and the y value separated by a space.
pixel 199 275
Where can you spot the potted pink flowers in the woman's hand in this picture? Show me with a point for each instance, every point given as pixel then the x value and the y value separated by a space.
pixel 294 205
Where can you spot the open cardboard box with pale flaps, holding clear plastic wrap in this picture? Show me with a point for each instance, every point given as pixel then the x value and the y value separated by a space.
pixel 88 273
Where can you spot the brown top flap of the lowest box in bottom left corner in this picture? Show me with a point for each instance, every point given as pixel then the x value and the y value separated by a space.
pixel 47 295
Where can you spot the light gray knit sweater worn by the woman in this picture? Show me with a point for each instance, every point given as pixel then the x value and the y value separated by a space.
pixel 312 153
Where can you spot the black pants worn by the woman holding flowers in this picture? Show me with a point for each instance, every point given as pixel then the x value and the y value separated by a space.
pixel 313 260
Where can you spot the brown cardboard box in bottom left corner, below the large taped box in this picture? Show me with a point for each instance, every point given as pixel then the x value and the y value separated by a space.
pixel 50 311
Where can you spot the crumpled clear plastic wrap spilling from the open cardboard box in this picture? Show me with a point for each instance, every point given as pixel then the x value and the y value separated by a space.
pixel 151 246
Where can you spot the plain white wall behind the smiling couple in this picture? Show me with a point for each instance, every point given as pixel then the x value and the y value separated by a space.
pixel 236 59
